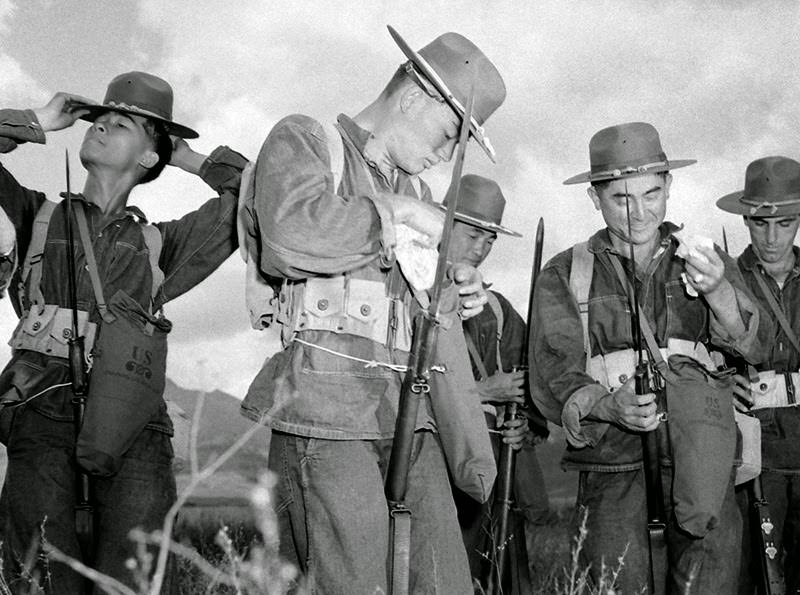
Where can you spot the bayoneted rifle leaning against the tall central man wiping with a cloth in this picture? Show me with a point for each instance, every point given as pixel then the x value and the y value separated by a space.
pixel 415 383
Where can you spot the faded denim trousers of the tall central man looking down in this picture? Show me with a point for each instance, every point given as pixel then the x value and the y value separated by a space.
pixel 334 518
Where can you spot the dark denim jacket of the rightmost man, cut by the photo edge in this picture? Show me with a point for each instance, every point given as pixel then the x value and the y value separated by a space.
pixel 780 426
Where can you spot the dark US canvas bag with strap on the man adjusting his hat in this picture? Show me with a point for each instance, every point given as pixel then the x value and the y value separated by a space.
pixel 127 377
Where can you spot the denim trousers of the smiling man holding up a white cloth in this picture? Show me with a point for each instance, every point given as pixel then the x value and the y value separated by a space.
pixel 616 505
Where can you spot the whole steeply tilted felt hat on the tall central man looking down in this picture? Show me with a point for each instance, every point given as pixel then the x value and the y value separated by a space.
pixel 450 63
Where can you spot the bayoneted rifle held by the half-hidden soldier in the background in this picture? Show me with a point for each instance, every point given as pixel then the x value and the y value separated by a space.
pixel 507 465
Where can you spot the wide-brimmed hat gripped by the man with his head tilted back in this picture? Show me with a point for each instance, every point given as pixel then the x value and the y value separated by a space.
pixel 141 94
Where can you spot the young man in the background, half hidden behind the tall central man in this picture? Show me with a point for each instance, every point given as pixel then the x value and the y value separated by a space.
pixel 496 343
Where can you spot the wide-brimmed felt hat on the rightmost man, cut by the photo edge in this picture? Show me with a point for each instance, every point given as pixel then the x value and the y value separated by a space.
pixel 771 189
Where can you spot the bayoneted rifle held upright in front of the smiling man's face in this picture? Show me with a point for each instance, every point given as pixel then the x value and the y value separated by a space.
pixel 651 449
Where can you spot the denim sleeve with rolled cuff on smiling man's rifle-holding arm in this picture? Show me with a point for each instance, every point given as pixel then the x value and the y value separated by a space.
pixel 560 386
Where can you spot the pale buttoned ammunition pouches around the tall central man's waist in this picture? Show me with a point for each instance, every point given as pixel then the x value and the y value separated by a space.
pixel 345 305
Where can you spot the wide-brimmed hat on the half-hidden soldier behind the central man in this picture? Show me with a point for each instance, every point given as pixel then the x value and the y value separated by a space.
pixel 481 203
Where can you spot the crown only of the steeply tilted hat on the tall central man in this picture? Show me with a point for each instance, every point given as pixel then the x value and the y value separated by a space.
pixel 456 59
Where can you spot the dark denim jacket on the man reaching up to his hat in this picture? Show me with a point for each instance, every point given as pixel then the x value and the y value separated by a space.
pixel 193 247
